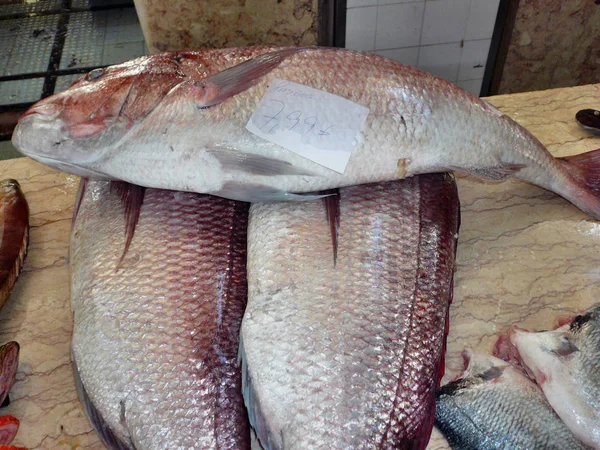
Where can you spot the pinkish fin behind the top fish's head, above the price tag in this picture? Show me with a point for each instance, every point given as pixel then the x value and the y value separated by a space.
pixel 229 82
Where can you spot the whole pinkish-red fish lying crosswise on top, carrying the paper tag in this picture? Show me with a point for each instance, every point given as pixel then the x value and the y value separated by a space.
pixel 178 121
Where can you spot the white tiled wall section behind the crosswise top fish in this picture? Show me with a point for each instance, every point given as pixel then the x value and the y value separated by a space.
pixel 449 38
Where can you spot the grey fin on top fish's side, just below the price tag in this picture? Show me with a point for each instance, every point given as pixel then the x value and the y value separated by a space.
pixel 255 164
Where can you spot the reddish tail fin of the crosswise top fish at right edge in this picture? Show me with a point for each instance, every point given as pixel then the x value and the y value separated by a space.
pixel 584 192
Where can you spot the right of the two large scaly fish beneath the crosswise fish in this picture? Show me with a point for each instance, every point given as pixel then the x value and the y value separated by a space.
pixel 349 355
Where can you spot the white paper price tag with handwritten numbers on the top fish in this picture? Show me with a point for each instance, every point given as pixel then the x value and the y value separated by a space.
pixel 315 124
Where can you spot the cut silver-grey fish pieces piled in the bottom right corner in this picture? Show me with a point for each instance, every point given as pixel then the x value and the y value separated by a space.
pixel 495 404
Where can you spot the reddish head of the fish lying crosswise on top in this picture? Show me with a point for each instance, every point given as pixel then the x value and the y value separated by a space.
pixel 76 127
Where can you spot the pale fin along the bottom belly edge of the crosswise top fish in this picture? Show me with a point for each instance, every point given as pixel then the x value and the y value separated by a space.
pixel 256 193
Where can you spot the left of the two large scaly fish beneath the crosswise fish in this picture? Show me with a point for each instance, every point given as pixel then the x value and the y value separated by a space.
pixel 155 337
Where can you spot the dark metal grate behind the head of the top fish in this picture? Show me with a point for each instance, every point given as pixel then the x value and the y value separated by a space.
pixel 49 43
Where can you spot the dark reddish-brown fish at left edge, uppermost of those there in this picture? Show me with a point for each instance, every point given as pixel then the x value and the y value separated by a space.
pixel 14 235
